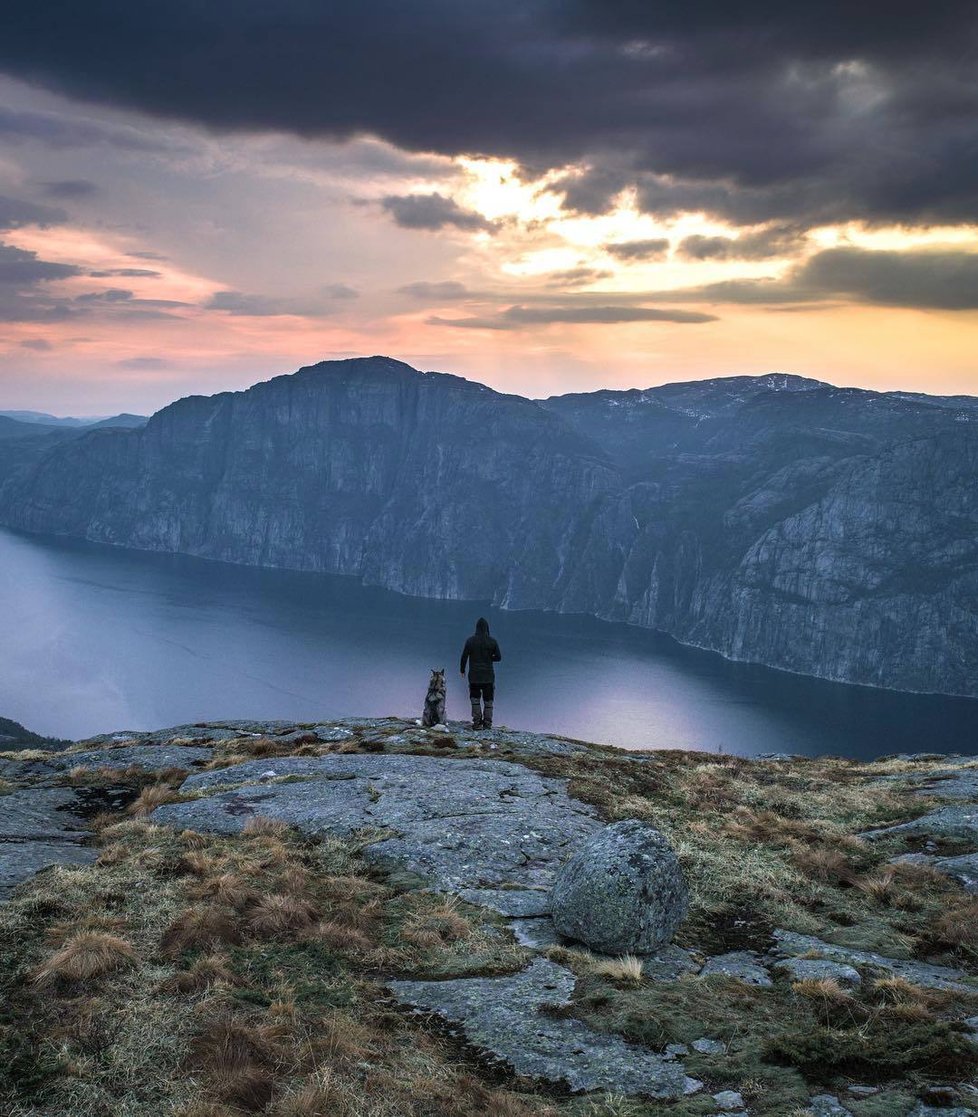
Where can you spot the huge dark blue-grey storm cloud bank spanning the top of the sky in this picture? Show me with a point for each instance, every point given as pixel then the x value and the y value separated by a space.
pixel 755 111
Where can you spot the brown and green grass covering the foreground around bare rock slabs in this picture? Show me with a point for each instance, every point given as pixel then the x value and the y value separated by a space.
pixel 207 976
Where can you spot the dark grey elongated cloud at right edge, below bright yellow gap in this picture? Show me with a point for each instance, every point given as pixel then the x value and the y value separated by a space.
pixel 929 280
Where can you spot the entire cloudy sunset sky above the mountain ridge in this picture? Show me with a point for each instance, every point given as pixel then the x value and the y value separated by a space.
pixel 546 197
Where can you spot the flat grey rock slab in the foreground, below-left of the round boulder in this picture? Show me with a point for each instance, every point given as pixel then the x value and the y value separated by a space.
pixel 506 1019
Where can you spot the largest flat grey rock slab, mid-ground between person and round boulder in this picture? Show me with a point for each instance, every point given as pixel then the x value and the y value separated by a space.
pixel 458 824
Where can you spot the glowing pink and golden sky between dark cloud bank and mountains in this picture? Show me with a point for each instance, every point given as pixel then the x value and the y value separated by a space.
pixel 169 259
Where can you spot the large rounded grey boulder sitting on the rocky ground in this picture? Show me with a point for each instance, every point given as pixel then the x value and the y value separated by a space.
pixel 622 892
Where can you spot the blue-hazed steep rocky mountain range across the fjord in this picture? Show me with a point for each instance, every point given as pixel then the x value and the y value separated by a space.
pixel 773 519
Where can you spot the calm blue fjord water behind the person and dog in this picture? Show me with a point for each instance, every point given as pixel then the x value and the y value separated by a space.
pixel 99 638
